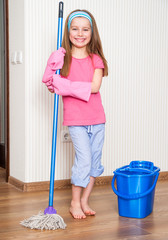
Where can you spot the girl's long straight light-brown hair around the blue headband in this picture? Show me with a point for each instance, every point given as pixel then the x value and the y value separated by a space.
pixel 93 47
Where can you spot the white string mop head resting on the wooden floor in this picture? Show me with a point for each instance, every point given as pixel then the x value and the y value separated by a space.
pixel 44 221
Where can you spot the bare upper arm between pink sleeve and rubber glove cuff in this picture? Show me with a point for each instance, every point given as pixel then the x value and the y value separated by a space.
pixel 97 80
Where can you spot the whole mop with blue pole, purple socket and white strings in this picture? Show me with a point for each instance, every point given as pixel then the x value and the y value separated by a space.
pixel 50 220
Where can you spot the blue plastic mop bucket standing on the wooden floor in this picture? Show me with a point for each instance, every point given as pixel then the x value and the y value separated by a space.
pixel 135 188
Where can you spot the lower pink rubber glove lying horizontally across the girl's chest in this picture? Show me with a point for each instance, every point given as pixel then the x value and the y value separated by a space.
pixel 65 87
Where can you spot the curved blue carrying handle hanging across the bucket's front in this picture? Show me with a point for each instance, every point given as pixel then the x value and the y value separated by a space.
pixel 134 196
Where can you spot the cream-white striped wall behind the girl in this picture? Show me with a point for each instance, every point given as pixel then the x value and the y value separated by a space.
pixel 135 40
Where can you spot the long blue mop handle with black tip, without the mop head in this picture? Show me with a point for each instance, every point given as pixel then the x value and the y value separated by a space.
pixel 55 116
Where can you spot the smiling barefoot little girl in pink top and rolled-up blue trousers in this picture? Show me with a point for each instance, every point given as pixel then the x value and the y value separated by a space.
pixel 83 67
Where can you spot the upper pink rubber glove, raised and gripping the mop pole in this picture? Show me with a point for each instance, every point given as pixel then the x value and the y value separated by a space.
pixel 55 62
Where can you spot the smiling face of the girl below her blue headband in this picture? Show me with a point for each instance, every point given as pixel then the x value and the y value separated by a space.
pixel 80 32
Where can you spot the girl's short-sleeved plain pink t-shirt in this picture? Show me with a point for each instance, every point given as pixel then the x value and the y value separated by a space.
pixel 79 112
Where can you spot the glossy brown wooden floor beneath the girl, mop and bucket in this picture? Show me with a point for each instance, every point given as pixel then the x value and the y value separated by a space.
pixel 106 225
